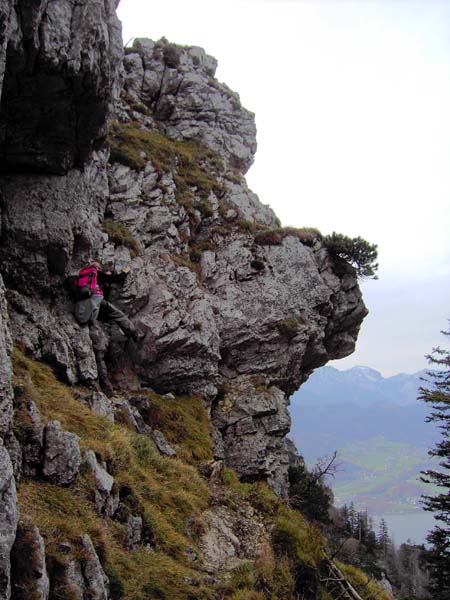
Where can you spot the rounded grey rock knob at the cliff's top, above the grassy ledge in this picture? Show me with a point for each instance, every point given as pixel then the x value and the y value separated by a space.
pixel 178 86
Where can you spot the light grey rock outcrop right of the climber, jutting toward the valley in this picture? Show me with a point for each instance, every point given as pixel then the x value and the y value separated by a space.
pixel 229 313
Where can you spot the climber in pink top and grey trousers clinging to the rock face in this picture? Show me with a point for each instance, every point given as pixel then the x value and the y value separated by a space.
pixel 92 307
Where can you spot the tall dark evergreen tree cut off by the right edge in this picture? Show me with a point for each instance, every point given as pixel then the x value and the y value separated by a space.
pixel 437 395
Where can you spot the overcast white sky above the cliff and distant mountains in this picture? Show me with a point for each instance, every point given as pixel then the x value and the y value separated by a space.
pixel 352 104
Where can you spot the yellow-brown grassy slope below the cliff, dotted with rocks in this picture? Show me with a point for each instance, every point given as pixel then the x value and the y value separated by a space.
pixel 170 495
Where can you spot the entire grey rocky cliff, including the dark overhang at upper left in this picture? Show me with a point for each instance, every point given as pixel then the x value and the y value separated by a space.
pixel 232 307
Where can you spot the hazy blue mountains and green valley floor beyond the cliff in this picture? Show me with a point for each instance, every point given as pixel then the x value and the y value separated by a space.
pixel 378 427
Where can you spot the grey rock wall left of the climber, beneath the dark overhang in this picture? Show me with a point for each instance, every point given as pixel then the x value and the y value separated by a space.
pixel 50 227
